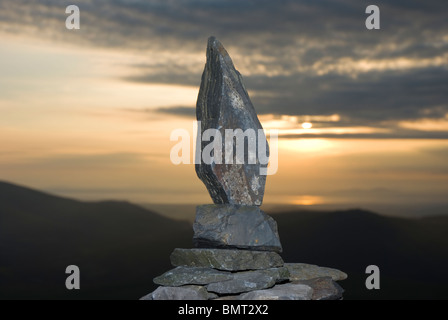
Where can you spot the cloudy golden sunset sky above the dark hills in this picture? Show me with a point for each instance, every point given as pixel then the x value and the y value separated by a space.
pixel 362 114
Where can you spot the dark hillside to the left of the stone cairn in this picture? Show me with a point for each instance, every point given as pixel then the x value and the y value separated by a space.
pixel 119 247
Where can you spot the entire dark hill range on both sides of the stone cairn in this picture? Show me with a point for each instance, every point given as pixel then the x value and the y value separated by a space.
pixel 121 247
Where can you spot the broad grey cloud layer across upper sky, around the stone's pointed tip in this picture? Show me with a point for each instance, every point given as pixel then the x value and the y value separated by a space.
pixel 297 58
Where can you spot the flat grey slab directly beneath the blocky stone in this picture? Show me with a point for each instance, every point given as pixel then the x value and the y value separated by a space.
pixel 226 259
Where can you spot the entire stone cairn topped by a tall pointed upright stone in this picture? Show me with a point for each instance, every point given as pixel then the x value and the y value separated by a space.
pixel 237 245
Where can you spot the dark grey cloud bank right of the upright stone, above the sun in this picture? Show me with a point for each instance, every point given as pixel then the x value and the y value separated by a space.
pixel 371 97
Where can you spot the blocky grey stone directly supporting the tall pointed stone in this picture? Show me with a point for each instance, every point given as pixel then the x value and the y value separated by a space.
pixel 227 225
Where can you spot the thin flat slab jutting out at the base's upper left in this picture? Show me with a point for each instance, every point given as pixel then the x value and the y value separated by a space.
pixel 186 275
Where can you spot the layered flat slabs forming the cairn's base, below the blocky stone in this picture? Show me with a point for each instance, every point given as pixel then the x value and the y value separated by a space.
pixel 232 274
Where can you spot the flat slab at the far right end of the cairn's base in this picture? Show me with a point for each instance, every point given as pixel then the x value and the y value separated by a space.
pixel 303 271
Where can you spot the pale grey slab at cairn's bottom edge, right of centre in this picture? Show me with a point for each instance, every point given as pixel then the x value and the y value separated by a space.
pixel 288 291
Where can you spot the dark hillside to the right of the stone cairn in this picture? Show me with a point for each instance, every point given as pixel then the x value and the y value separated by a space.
pixel 412 254
